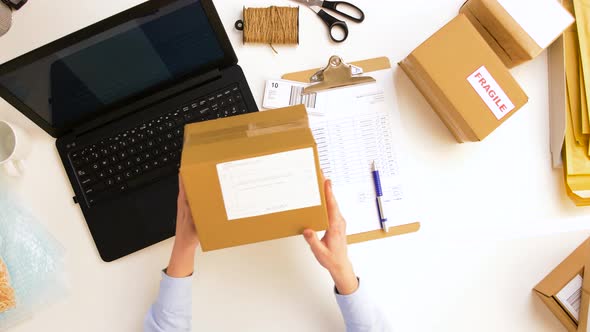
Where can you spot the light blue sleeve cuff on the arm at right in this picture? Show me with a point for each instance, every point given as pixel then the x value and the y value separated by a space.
pixel 360 313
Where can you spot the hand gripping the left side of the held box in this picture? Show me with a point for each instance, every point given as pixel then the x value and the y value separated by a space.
pixel 186 242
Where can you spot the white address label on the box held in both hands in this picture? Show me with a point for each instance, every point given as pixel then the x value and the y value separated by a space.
pixel 268 184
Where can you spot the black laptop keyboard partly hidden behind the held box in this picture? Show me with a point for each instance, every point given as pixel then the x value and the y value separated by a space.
pixel 149 151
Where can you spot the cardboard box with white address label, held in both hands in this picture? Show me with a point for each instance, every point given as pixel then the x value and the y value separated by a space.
pixel 253 177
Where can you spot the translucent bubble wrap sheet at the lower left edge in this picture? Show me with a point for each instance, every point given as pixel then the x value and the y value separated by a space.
pixel 33 257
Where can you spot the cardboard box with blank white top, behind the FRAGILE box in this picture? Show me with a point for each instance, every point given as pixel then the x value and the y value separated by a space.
pixel 517 30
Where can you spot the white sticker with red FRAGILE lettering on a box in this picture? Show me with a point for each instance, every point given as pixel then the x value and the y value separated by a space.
pixel 490 92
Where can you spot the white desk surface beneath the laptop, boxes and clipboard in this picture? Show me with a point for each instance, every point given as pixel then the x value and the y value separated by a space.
pixel 494 214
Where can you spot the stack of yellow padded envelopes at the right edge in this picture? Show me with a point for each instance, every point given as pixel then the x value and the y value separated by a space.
pixel 576 151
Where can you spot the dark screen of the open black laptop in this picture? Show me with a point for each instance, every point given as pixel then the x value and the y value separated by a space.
pixel 146 51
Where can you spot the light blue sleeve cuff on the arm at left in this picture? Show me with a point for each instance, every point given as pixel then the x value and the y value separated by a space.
pixel 172 310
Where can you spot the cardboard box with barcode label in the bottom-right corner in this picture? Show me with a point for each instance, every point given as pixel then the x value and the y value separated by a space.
pixel 562 276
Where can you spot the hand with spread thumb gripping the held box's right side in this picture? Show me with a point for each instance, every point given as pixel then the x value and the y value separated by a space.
pixel 331 251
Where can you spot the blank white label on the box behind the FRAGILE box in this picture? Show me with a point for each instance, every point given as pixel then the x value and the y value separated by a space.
pixel 543 20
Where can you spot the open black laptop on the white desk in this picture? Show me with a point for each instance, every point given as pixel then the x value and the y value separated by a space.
pixel 117 95
